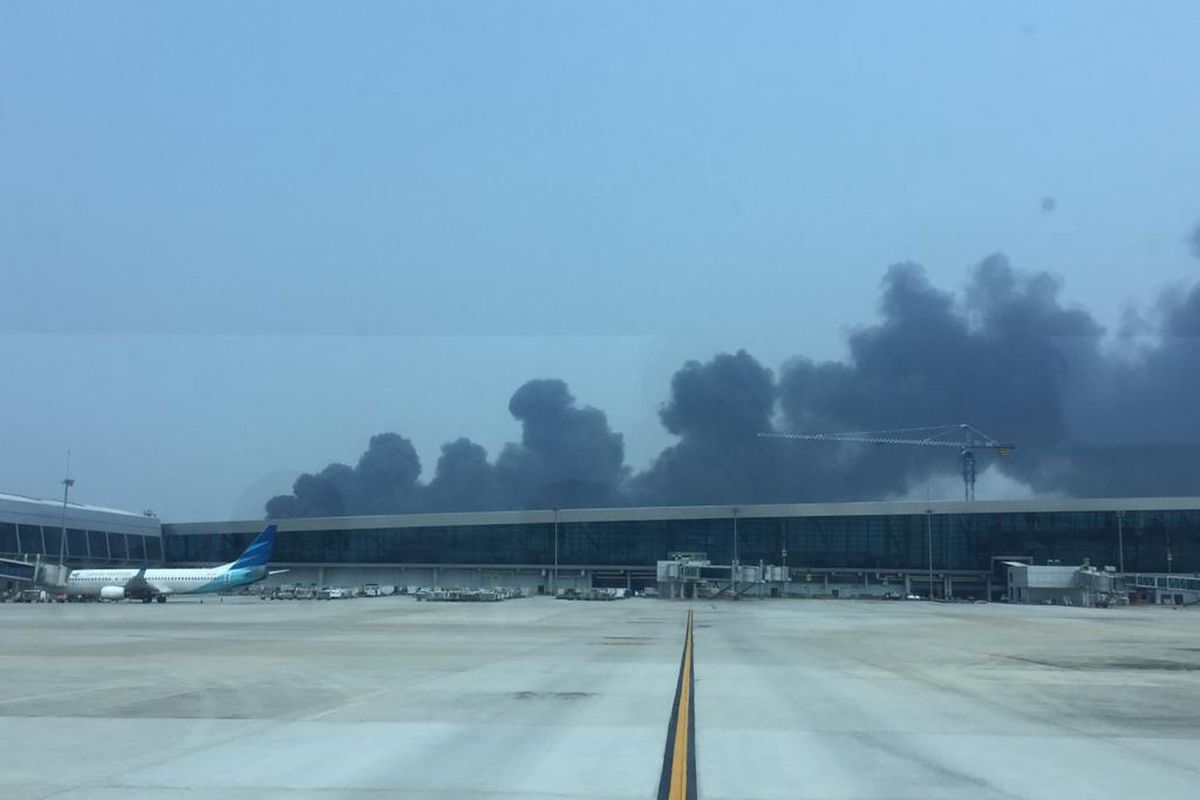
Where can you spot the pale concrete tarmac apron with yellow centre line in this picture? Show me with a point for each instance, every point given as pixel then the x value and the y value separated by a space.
pixel 389 697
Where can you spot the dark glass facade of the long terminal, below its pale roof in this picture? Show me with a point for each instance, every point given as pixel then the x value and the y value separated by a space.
pixel 1167 542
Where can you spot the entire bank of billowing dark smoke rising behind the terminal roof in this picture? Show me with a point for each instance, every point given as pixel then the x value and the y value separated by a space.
pixel 1005 356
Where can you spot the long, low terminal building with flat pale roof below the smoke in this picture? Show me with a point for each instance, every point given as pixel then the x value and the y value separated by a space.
pixel 957 550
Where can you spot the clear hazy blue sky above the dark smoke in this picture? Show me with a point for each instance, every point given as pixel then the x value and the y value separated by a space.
pixel 237 239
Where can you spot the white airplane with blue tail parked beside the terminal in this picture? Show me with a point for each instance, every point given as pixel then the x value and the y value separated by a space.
pixel 147 585
